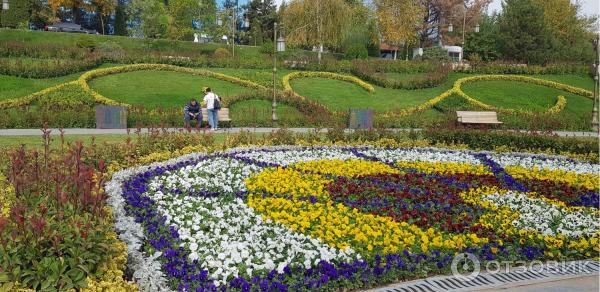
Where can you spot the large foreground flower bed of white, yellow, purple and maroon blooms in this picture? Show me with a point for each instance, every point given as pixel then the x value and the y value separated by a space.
pixel 293 218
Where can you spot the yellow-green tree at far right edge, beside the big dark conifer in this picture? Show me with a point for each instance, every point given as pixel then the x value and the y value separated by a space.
pixel 572 31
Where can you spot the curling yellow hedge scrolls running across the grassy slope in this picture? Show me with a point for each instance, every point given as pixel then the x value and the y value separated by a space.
pixel 292 98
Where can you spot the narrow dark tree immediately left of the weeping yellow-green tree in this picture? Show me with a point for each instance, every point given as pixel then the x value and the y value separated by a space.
pixel 262 15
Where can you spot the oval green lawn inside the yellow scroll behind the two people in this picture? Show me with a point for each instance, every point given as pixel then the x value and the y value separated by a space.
pixel 160 88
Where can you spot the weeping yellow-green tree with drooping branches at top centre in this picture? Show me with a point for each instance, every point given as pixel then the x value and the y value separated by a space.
pixel 316 23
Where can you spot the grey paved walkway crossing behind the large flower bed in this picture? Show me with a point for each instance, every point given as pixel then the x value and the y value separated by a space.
pixel 83 131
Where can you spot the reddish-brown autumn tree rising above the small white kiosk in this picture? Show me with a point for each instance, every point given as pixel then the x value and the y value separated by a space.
pixel 444 12
